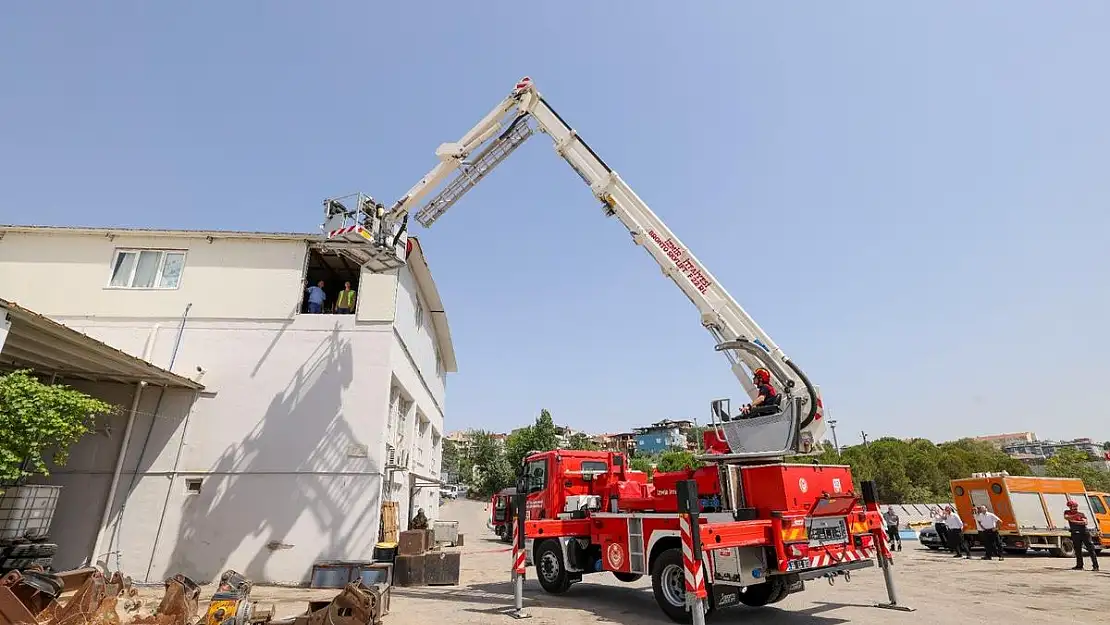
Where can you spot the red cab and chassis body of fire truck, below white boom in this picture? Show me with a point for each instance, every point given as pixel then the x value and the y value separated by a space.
pixel 765 529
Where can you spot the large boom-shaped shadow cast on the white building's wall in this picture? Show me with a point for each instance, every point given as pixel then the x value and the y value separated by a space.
pixel 246 507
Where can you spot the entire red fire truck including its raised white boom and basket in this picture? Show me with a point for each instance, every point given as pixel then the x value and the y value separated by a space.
pixel 766 525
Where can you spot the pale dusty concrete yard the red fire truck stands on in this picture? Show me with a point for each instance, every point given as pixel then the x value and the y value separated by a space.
pixel 1030 590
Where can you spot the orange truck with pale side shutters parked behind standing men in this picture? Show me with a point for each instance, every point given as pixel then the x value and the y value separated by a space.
pixel 1032 510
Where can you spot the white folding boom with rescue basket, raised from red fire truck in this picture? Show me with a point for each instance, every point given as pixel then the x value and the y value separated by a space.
pixel 379 235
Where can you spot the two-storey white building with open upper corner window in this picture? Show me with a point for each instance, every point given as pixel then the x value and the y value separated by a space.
pixel 267 448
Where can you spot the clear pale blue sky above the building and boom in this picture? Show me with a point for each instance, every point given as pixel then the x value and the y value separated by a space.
pixel 911 199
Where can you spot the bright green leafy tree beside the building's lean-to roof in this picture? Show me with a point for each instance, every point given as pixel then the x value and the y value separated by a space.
pixel 37 419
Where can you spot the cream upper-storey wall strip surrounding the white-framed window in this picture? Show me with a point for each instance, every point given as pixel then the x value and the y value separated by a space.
pixel 67 275
